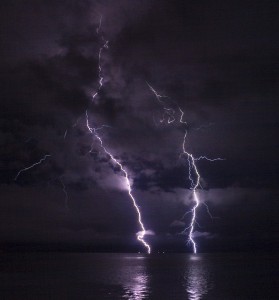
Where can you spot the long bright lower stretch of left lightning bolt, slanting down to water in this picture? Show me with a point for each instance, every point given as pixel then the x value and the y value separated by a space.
pixel 142 233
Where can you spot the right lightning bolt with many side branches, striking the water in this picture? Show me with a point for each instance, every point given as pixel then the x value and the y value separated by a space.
pixel 169 116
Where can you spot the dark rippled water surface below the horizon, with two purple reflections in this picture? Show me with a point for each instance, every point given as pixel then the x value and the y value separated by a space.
pixel 138 276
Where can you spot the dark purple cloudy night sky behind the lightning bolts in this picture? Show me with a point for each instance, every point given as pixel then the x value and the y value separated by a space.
pixel 217 60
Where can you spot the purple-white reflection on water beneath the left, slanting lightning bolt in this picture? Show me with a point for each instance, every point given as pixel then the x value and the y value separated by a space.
pixel 136 283
